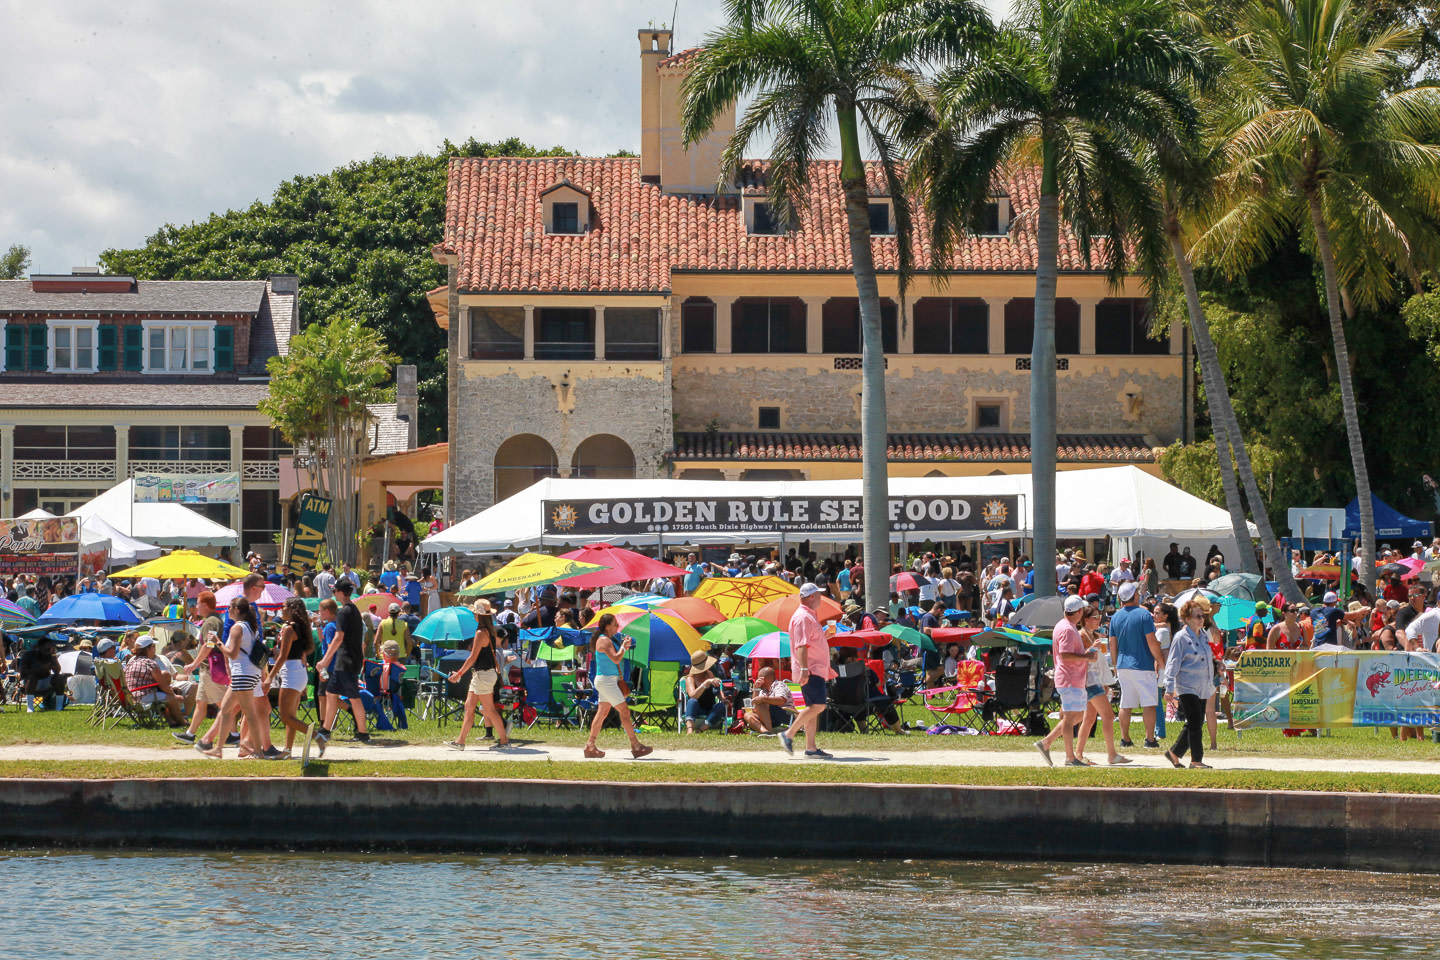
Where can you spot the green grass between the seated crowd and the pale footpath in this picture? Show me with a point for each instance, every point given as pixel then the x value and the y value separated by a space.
pixel 71 728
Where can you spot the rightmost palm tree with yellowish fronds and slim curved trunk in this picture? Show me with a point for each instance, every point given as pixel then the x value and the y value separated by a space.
pixel 1324 136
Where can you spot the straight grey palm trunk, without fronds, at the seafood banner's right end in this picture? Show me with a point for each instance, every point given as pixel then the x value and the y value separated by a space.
pixel 1043 381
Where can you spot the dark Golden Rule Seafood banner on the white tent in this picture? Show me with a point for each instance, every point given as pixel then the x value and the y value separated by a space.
pixel 803 516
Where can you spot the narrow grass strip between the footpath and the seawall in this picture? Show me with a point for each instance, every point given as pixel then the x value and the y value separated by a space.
pixel 801 772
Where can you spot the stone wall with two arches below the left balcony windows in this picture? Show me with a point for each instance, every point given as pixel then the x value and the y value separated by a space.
pixel 564 404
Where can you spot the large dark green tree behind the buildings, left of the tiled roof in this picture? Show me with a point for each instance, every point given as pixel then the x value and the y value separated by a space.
pixel 359 238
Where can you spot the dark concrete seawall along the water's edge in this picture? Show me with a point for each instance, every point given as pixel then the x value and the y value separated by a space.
pixel 1351 831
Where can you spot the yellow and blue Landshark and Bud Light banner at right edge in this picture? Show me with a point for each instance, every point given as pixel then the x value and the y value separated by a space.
pixel 1356 689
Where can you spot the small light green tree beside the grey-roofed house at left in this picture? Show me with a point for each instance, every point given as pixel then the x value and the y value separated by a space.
pixel 320 398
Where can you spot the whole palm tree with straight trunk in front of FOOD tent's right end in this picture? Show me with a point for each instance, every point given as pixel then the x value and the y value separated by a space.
pixel 1079 86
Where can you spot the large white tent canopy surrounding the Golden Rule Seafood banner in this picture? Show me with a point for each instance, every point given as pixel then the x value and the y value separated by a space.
pixel 1117 502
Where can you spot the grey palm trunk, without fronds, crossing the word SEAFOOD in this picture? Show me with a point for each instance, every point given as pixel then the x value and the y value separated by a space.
pixel 873 421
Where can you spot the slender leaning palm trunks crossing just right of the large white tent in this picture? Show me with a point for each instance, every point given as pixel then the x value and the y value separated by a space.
pixel 1225 415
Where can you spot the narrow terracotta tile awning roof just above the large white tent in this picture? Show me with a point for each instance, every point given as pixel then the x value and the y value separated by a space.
pixel 1074 448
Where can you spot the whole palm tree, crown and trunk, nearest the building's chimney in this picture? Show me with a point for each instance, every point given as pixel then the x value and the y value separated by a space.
pixel 807 63
